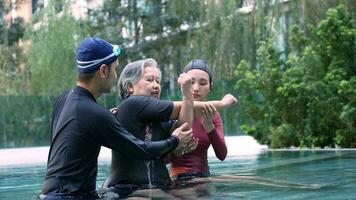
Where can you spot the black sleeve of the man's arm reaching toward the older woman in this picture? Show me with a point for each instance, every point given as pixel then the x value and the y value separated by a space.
pixel 114 136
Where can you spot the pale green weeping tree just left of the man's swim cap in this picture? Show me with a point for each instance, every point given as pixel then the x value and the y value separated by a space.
pixel 51 57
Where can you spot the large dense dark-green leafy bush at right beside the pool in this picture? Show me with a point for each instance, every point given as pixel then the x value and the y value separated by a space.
pixel 307 99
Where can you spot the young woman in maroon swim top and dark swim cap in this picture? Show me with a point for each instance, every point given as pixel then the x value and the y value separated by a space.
pixel 208 128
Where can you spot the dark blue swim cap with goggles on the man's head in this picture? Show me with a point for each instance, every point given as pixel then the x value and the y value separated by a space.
pixel 93 52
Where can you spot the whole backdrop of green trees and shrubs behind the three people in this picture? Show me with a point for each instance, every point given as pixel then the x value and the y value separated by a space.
pixel 290 63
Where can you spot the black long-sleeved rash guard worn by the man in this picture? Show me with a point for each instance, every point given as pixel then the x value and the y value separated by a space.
pixel 79 128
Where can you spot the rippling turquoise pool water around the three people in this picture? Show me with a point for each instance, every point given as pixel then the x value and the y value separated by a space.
pixel 323 174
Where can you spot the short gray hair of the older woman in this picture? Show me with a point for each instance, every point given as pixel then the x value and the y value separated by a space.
pixel 132 73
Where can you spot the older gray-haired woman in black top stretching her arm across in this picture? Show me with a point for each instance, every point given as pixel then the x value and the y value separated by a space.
pixel 148 118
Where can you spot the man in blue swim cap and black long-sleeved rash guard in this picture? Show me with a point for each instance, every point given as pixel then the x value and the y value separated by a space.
pixel 80 127
